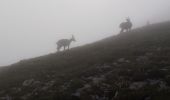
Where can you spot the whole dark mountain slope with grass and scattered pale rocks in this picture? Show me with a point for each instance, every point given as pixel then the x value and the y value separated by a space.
pixel 133 66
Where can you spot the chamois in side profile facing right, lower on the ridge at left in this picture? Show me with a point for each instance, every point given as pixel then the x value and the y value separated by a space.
pixel 64 43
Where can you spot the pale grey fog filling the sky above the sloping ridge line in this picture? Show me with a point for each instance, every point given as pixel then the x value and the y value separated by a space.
pixel 31 28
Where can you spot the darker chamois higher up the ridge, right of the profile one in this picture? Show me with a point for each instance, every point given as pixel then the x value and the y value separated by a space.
pixel 126 25
